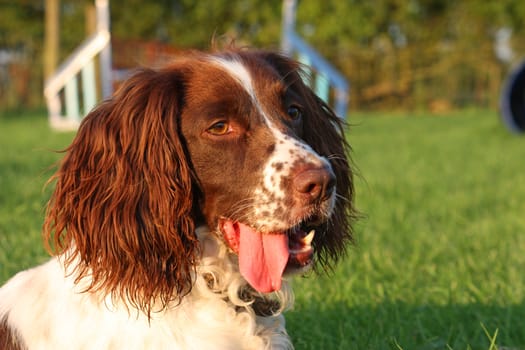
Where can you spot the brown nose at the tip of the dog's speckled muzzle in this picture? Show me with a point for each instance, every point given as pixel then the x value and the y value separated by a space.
pixel 314 184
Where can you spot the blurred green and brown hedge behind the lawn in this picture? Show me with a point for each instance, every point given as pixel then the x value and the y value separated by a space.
pixel 434 55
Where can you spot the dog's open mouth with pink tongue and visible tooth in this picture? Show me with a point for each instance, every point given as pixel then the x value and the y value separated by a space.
pixel 265 257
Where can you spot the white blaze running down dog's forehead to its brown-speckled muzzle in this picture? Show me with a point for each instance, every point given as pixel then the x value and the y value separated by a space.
pixel 270 195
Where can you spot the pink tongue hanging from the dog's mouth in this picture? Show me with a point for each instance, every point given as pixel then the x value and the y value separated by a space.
pixel 262 258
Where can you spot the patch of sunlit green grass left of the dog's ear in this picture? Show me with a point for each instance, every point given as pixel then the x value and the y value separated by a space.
pixel 27 153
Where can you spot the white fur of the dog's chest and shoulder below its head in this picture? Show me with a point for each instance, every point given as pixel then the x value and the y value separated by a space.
pixel 48 311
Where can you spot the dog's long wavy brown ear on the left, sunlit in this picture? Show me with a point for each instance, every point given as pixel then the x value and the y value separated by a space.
pixel 121 208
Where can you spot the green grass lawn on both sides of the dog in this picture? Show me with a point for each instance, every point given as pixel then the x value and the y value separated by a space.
pixel 440 255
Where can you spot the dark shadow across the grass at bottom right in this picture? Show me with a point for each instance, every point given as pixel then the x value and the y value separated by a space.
pixel 404 326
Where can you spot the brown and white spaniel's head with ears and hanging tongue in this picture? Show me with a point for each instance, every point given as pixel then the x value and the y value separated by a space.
pixel 234 140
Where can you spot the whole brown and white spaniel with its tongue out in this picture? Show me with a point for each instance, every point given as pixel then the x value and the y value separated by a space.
pixel 179 207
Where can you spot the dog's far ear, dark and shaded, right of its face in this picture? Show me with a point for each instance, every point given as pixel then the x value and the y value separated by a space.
pixel 324 131
